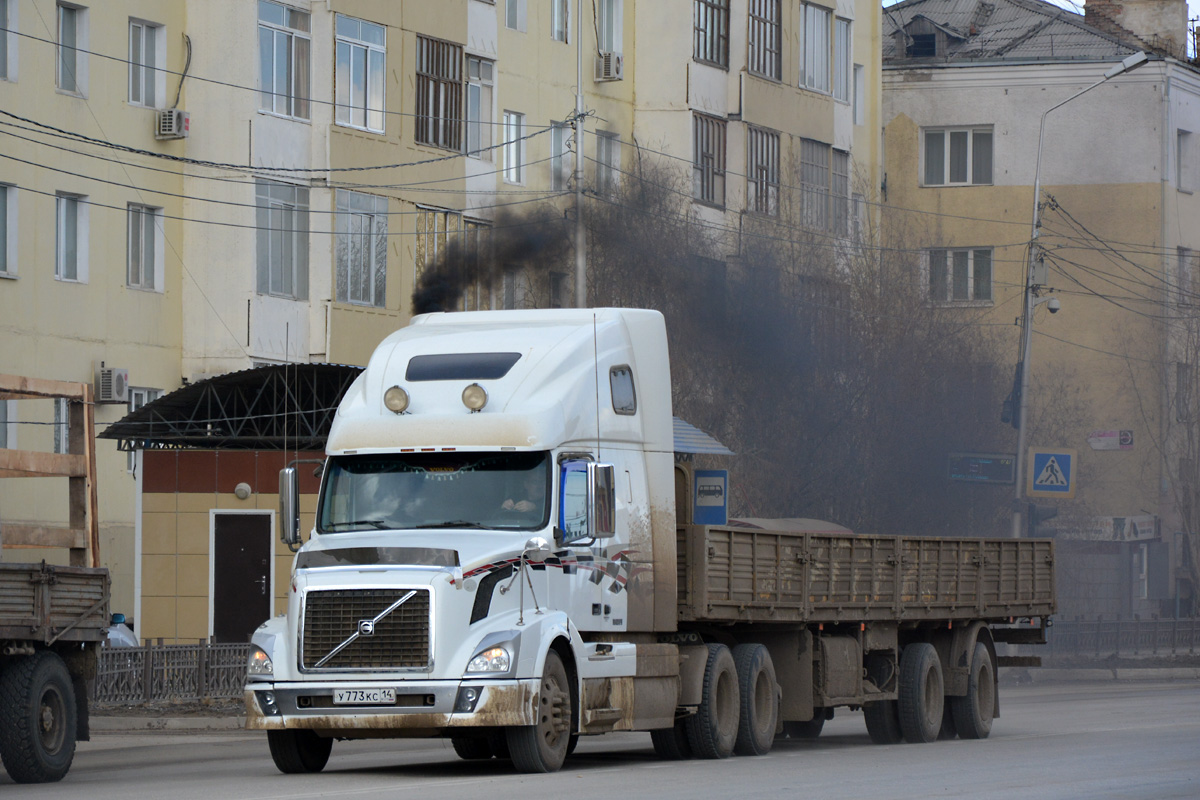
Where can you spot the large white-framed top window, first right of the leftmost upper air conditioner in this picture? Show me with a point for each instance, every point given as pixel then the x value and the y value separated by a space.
pixel 284 49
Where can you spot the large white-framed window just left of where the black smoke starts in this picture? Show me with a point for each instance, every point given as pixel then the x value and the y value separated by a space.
pixel 362 249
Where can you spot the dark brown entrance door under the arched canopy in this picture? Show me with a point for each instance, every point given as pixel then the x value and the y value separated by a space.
pixel 242 575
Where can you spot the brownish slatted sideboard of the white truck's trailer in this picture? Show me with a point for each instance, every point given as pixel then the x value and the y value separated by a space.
pixel 753 575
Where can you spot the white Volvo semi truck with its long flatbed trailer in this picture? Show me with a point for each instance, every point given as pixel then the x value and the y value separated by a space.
pixel 505 555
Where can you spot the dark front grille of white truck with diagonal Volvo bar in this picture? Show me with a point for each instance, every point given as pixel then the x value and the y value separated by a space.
pixel 401 640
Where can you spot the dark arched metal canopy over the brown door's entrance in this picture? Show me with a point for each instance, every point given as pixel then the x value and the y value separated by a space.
pixel 267 408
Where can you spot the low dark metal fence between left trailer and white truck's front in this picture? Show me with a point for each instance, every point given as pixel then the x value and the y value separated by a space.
pixel 171 672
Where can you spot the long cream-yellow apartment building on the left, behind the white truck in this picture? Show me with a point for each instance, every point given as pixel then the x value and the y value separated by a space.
pixel 319 159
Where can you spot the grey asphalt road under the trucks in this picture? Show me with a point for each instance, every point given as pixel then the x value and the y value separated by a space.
pixel 1094 742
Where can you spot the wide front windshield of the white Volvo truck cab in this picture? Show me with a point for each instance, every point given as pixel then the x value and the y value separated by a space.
pixel 448 490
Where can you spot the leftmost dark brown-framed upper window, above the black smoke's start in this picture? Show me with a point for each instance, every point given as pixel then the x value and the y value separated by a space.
pixel 439 93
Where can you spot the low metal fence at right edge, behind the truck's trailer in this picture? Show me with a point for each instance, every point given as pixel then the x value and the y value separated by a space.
pixel 1121 640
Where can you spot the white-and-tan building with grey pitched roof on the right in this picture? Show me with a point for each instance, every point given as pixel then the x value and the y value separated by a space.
pixel 968 87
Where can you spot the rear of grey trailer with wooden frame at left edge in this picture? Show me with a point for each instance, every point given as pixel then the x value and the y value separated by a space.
pixel 53 619
